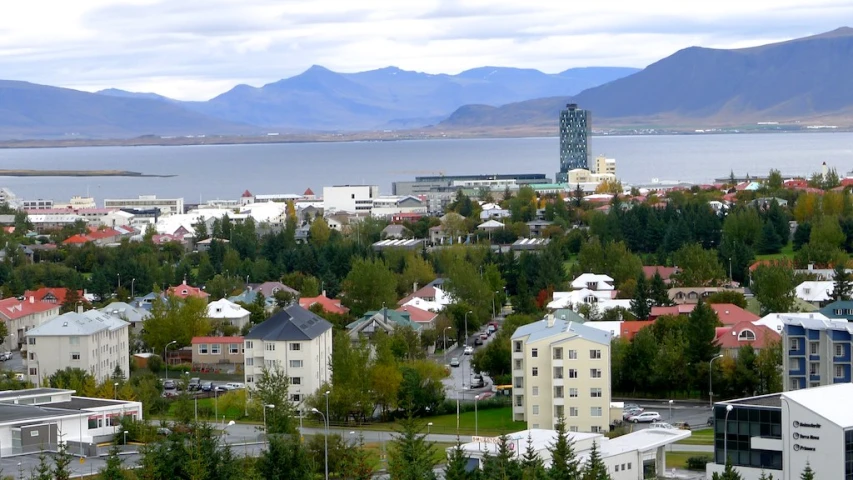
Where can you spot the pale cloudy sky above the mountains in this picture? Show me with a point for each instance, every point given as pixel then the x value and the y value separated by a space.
pixel 196 49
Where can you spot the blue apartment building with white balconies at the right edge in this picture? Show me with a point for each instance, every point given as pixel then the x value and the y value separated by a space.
pixel 816 352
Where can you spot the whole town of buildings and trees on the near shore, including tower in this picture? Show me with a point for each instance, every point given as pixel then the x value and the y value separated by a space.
pixel 502 324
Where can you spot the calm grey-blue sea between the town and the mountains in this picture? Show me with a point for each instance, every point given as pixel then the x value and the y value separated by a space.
pixel 203 173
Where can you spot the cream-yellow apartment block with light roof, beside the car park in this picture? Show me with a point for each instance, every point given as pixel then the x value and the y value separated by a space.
pixel 561 369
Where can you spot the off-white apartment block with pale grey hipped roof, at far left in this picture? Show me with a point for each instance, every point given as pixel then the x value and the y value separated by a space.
pixel 93 341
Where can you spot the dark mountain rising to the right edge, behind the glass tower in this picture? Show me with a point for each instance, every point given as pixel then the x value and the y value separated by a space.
pixel 804 78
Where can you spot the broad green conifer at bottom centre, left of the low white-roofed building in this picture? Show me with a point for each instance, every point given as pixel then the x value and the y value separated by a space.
pixel 411 455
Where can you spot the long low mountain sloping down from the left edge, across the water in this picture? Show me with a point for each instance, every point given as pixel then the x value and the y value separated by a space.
pixel 29 110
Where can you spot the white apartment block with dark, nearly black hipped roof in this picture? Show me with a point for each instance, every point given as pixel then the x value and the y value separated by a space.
pixel 296 341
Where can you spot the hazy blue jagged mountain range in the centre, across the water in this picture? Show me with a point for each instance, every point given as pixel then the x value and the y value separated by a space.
pixel 320 99
